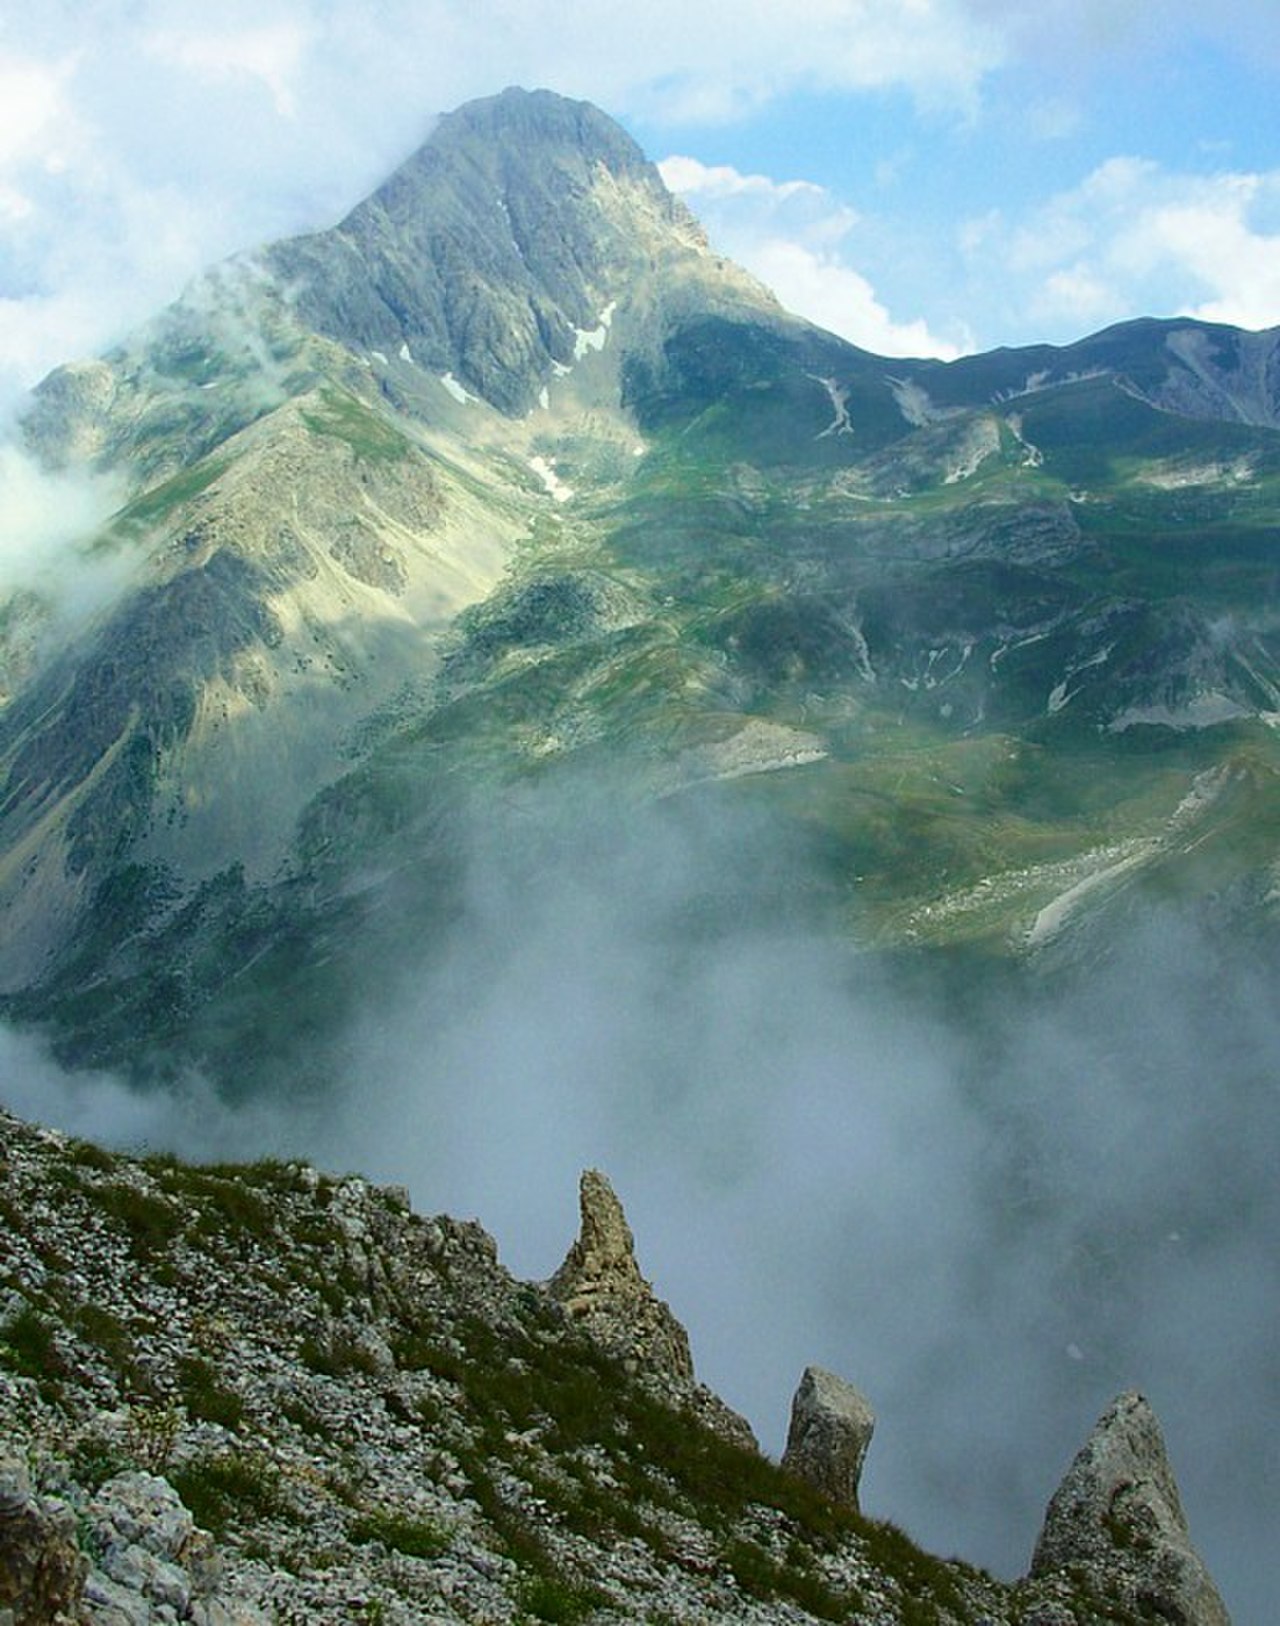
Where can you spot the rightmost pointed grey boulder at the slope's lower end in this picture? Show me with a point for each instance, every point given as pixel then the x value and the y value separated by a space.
pixel 1118 1516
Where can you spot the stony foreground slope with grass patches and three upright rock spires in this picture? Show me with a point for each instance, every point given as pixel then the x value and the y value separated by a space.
pixel 248 1396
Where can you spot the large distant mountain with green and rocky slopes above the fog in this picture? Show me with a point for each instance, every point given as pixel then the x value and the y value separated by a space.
pixel 507 480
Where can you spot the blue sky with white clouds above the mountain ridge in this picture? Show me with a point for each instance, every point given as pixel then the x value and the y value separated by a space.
pixel 925 176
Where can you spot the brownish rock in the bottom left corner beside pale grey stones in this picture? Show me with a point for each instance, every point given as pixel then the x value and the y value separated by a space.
pixel 41 1568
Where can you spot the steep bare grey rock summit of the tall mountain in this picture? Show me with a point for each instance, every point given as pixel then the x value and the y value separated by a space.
pixel 502 248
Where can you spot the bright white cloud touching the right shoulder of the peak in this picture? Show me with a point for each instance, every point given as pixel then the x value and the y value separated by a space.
pixel 793 237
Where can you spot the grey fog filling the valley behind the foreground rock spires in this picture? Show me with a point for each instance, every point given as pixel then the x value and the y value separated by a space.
pixel 991 1206
